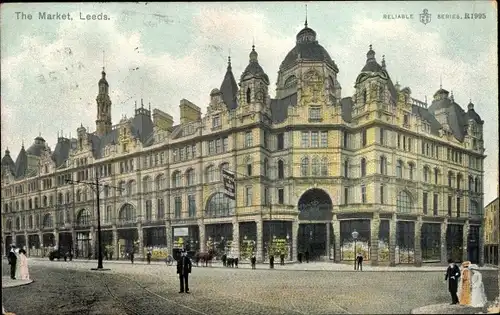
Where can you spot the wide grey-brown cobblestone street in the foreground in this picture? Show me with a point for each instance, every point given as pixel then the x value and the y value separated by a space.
pixel 71 288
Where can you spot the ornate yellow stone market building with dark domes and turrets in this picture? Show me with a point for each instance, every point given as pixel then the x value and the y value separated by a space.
pixel 311 167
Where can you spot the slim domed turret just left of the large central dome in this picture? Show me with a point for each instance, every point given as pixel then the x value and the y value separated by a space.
pixel 254 82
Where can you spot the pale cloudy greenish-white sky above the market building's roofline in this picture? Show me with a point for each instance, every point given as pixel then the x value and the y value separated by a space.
pixel 164 52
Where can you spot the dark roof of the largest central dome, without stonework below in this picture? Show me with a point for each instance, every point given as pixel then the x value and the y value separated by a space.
pixel 307 48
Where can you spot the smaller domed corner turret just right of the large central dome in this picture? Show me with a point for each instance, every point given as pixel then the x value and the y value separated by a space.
pixel 373 84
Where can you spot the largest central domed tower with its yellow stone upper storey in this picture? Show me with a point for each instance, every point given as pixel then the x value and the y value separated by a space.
pixel 309 71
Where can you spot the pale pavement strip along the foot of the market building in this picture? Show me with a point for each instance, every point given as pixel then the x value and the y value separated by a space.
pixel 311 266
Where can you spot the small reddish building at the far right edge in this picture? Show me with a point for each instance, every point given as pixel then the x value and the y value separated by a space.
pixel 491 232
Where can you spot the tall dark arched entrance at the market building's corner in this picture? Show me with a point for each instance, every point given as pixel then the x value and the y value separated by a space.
pixel 315 231
